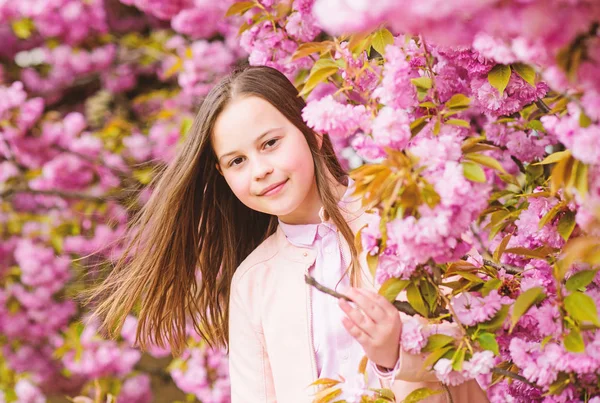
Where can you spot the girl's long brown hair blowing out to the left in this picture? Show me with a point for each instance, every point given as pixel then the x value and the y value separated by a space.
pixel 193 221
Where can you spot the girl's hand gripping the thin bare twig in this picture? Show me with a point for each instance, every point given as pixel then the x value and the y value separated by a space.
pixel 375 324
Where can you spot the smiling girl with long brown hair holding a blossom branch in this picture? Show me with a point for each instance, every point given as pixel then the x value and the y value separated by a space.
pixel 255 200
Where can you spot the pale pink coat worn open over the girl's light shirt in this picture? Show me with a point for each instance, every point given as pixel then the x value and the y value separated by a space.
pixel 271 353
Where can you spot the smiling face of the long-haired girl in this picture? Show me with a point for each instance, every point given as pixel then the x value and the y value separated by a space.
pixel 266 160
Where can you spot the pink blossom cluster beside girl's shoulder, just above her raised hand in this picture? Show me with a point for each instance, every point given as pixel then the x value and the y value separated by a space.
pixel 414 241
